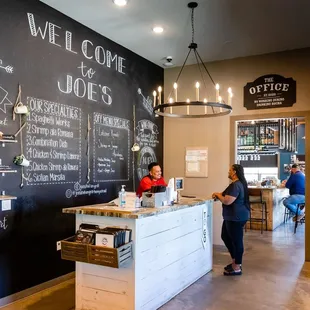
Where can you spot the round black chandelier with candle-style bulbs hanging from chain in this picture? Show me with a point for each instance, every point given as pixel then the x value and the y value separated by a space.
pixel 218 107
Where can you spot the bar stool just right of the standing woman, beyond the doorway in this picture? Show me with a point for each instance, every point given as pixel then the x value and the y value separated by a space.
pixel 256 197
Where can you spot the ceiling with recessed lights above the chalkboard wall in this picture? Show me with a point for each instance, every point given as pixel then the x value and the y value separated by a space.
pixel 224 28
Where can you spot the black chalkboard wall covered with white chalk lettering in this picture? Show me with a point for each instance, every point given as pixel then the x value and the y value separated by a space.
pixel 81 90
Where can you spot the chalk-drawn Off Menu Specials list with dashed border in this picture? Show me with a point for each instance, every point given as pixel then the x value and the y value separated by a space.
pixel 111 148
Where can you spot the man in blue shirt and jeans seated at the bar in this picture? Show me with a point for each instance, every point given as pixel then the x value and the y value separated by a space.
pixel 296 185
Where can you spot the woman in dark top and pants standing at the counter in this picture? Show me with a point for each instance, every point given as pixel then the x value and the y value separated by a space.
pixel 235 203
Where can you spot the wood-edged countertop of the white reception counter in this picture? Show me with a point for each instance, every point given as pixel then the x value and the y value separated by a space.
pixel 106 209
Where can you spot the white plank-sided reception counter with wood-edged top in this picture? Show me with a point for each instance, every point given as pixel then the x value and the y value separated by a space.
pixel 170 253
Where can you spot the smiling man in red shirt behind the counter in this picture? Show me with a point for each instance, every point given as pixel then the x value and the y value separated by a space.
pixel 152 179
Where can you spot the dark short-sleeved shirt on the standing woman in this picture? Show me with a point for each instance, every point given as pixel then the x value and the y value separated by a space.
pixel 237 211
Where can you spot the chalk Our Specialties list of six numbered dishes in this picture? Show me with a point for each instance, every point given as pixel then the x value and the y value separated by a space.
pixel 53 143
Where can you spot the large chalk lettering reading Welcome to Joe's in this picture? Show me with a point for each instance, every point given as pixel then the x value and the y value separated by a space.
pixel 81 88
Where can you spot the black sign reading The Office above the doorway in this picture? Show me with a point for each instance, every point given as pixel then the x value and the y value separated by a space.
pixel 270 91
